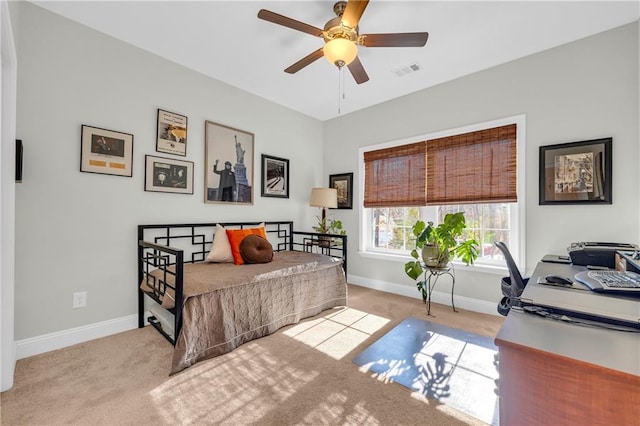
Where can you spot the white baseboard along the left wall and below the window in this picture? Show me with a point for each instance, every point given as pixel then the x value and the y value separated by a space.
pixel 61 339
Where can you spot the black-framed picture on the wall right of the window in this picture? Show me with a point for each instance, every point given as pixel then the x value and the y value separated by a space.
pixel 576 172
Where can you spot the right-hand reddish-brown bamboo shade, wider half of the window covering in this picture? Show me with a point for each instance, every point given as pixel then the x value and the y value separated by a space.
pixel 475 167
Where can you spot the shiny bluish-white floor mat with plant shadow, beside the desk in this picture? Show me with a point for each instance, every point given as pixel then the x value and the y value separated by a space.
pixel 452 366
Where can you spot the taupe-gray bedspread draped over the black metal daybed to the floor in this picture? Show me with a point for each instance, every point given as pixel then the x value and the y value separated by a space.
pixel 227 305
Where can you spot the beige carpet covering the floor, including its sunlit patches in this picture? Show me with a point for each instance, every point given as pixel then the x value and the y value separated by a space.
pixel 303 374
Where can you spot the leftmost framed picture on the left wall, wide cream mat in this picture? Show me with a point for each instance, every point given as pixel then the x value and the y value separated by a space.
pixel 106 151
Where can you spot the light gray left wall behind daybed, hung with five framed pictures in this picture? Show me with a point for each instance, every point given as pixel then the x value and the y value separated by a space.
pixel 77 231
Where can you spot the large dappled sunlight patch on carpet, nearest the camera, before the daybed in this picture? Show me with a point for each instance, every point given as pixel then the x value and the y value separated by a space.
pixel 246 383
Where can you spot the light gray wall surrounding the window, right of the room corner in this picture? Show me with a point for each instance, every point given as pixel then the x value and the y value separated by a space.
pixel 584 90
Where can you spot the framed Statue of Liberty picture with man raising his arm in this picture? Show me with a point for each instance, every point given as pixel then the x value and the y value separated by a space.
pixel 228 176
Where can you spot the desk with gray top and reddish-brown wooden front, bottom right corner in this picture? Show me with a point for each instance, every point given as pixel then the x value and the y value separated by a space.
pixel 556 373
